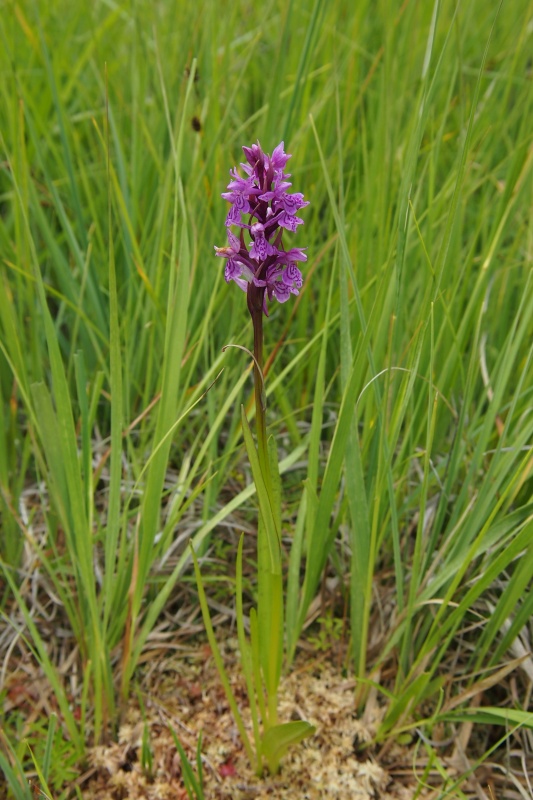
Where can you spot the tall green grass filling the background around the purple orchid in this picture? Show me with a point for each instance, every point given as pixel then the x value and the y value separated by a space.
pixel 400 383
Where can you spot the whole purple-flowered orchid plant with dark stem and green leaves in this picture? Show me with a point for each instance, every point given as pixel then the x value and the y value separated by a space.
pixel 262 210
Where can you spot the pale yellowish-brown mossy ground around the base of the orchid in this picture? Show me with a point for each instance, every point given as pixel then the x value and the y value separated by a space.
pixel 332 763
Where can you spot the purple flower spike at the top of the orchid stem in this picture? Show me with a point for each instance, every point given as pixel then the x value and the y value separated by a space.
pixel 261 266
